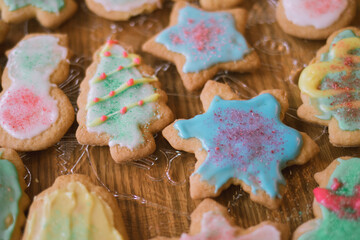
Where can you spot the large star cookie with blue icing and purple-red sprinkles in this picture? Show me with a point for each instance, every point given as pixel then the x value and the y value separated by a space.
pixel 241 142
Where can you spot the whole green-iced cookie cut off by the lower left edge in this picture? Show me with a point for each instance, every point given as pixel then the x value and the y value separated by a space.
pixel 13 199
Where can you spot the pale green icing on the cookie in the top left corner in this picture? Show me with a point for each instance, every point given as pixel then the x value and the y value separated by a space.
pixel 53 6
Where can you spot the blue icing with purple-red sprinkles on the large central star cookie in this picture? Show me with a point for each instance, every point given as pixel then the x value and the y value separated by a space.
pixel 244 140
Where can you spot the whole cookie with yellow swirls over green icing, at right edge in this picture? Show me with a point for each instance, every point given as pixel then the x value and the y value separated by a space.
pixel 330 88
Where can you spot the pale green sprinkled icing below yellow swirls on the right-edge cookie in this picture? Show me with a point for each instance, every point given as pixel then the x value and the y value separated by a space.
pixel 348 118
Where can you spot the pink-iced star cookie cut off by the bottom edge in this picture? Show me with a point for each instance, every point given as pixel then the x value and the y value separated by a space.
pixel 210 220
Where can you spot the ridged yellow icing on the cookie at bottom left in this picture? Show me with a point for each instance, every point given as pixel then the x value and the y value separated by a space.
pixel 71 213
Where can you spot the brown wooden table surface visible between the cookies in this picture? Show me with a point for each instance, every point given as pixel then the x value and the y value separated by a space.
pixel 153 193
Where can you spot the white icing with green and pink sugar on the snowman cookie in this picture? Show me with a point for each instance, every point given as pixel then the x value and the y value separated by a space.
pixel 26 108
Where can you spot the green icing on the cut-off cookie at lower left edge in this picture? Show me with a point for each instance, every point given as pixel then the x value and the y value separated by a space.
pixel 10 194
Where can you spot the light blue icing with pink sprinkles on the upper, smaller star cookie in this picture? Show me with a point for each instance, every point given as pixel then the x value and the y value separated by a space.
pixel 204 38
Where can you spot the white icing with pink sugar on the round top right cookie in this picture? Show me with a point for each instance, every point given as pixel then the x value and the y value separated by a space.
pixel 317 13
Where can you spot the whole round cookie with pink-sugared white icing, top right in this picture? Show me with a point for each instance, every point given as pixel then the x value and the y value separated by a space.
pixel 314 19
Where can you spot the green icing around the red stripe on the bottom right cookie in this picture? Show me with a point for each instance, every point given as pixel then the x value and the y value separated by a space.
pixel 331 227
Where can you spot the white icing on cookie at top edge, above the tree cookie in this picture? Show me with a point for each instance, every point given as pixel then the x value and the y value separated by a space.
pixel 125 5
